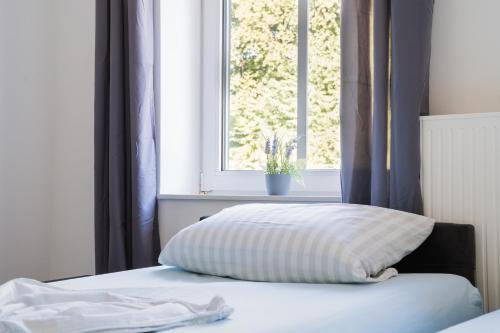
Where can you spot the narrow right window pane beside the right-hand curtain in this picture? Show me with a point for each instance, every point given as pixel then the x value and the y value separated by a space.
pixel 323 141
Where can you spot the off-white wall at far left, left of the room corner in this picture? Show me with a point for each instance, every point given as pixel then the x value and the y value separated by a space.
pixel 26 105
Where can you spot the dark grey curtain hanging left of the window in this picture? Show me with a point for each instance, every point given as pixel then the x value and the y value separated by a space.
pixel 126 227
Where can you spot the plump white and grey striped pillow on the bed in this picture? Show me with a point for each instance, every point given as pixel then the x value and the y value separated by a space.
pixel 318 243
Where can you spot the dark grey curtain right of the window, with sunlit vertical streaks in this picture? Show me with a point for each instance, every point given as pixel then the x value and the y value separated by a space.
pixel 385 80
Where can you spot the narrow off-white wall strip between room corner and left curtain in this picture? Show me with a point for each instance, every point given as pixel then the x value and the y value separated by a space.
pixel 72 234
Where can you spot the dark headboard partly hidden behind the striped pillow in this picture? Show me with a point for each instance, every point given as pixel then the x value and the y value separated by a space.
pixel 450 248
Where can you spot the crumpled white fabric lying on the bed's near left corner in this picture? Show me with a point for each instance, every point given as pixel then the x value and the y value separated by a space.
pixel 31 306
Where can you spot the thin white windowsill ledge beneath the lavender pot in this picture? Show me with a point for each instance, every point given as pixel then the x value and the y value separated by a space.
pixel 252 197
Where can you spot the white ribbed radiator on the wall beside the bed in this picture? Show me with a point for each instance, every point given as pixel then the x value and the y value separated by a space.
pixel 461 184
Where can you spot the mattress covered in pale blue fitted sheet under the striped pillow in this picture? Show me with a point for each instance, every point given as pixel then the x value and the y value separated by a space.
pixel 406 303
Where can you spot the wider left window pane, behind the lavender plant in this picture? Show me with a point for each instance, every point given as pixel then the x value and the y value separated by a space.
pixel 262 78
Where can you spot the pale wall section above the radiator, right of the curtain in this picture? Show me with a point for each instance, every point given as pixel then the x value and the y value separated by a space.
pixel 465 65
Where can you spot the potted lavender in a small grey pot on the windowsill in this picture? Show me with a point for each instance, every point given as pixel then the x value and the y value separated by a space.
pixel 280 168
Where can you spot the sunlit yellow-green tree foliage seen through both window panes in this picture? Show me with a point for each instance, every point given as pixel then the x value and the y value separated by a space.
pixel 263 80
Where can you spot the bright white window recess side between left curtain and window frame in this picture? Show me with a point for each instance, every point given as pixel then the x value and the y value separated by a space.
pixel 180 97
